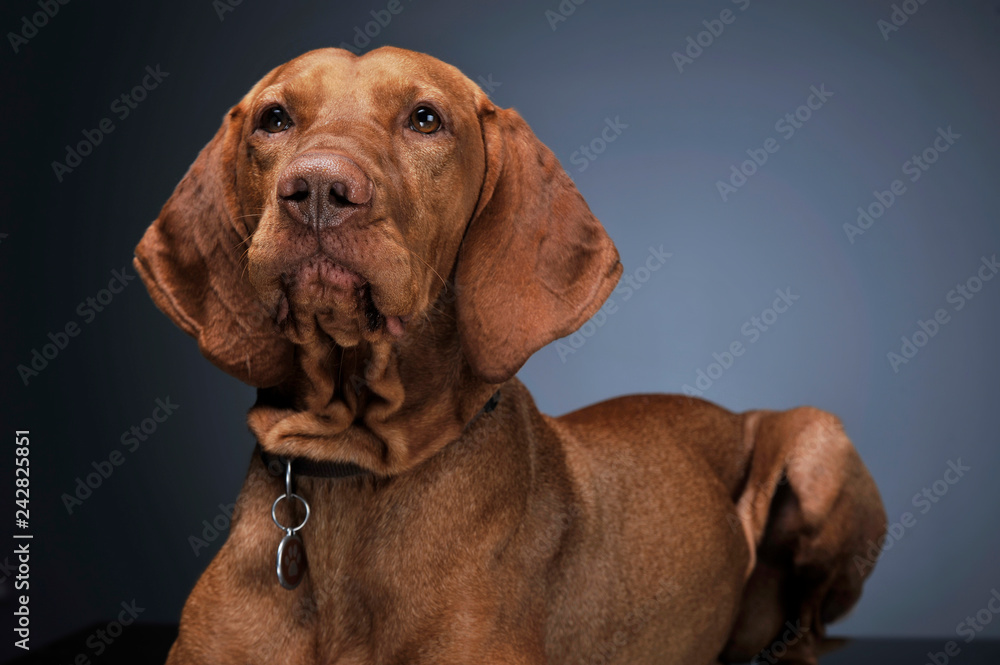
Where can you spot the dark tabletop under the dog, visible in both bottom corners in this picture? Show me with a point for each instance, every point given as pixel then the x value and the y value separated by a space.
pixel 142 644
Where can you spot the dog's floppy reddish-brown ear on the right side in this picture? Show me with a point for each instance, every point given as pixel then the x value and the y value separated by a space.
pixel 535 263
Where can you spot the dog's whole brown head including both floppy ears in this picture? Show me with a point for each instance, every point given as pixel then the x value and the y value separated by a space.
pixel 363 204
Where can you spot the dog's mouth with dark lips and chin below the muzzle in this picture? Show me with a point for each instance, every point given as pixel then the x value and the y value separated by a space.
pixel 336 296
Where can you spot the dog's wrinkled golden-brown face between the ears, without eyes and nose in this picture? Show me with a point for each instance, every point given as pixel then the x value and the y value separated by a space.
pixel 409 235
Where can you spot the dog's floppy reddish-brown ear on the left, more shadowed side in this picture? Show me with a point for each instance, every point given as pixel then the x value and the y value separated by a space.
pixel 191 261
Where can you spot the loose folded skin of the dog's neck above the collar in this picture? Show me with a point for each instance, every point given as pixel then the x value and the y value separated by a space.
pixel 385 405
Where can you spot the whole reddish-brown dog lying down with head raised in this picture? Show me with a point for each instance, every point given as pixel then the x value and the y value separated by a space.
pixel 379 249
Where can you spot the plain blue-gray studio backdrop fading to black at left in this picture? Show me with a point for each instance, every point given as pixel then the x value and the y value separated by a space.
pixel 654 185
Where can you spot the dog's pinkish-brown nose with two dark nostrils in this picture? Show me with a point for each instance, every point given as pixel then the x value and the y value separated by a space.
pixel 323 189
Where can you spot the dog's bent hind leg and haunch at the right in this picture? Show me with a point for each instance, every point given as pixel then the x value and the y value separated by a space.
pixel 812 516
